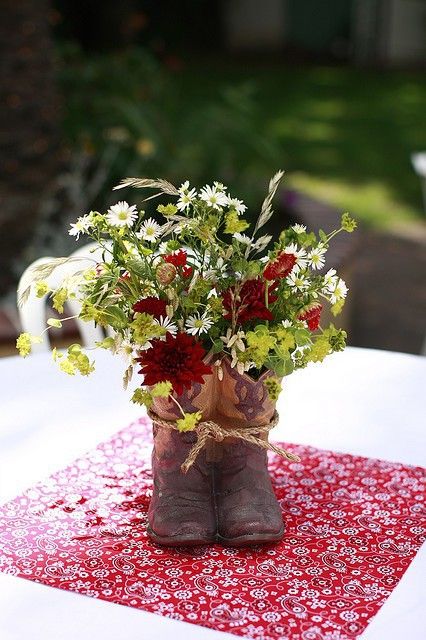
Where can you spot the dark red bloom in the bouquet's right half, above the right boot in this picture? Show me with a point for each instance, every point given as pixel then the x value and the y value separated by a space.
pixel 251 301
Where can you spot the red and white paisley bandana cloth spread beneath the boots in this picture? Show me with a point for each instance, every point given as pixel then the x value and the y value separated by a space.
pixel 353 526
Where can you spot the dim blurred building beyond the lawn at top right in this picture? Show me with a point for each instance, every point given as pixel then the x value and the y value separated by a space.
pixel 389 32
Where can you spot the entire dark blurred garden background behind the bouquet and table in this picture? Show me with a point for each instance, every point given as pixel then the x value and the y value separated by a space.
pixel 231 90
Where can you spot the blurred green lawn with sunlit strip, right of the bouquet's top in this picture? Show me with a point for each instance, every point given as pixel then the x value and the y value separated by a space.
pixel 345 135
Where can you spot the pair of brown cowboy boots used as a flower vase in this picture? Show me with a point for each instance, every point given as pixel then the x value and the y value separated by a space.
pixel 226 496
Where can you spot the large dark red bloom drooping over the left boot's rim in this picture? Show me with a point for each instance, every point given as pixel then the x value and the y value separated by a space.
pixel 176 359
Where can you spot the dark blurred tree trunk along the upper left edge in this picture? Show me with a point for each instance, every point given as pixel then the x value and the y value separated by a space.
pixel 29 125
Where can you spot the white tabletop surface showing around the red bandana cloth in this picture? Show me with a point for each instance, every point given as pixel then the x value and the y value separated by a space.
pixel 361 401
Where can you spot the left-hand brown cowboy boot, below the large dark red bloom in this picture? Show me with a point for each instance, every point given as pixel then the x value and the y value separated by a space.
pixel 181 511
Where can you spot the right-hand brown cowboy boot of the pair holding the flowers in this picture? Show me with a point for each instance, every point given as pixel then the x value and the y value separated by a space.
pixel 247 509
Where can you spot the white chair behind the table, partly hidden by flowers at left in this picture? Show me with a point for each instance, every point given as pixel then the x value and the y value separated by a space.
pixel 32 314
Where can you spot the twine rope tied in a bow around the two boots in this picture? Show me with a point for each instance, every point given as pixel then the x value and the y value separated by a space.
pixel 208 429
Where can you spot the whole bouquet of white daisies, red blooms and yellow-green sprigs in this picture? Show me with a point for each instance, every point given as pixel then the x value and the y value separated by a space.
pixel 195 286
